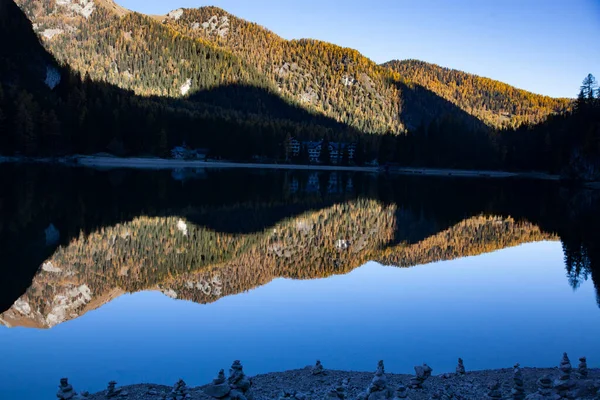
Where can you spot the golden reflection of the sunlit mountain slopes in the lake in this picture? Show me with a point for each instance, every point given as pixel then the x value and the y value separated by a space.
pixel 185 261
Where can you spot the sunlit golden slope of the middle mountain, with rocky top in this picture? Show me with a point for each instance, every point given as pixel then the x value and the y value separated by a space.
pixel 336 81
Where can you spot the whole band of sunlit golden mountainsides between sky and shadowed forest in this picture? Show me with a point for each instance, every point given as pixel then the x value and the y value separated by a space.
pixel 193 50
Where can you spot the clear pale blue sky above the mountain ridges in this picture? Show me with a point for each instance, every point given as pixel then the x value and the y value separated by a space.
pixel 545 46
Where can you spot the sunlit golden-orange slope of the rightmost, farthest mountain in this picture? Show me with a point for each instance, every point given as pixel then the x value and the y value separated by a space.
pixel 494 102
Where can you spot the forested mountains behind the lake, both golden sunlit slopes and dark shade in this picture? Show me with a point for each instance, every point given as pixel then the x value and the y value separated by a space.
pixel 104 79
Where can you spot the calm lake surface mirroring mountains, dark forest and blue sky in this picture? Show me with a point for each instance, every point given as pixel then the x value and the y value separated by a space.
pixel 149 276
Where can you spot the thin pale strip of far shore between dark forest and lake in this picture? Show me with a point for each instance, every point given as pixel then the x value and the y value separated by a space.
pixel 102 162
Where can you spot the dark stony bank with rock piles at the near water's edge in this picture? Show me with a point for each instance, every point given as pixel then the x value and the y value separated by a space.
pixel 303 384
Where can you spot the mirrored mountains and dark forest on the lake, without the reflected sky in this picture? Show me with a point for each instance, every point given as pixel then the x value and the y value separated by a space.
pixel 88 236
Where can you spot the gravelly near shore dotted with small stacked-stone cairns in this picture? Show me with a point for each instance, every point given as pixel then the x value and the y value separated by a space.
pixel 315 382
